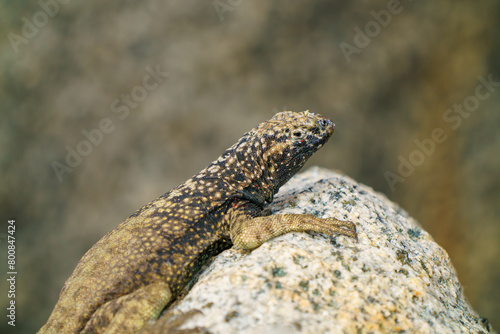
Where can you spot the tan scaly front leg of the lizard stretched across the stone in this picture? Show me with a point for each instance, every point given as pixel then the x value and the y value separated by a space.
pixel 249 233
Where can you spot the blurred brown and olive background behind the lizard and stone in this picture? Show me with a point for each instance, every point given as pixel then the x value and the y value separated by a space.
pixel 106 105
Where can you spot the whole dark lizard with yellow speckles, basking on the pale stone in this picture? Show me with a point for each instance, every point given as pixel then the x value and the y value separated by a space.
pixel 138 269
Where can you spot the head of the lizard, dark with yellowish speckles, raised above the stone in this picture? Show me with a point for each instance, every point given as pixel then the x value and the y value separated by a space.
pixel 288 140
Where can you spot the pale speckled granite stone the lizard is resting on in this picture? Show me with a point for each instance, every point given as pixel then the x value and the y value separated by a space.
pixel 395 279
